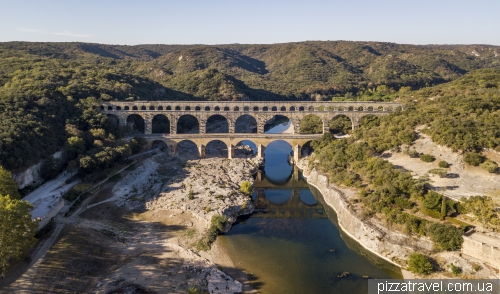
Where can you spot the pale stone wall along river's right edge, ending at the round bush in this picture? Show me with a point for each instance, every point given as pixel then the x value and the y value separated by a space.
pixel 391 246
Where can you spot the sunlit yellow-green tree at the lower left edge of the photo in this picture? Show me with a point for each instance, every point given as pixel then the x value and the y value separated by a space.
pixel 17 230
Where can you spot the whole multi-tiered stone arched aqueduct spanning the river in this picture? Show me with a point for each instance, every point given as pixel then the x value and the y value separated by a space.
pixel 172 112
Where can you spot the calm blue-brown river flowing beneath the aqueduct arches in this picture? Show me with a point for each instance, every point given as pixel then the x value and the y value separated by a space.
pixel 292 243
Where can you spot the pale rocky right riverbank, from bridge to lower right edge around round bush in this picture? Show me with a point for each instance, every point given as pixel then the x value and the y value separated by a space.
pixel 387 244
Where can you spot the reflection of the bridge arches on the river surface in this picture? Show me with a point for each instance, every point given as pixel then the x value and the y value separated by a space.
pixel 290 199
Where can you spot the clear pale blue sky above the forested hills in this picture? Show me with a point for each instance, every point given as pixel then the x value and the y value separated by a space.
pixel 250 22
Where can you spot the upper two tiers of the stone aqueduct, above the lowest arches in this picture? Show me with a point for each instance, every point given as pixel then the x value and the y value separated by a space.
pixel 232 110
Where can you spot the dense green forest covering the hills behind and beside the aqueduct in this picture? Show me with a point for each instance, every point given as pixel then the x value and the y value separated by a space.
pixel 47 89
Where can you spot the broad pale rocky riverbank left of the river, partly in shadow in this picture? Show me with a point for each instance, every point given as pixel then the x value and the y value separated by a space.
pixel 129 237
